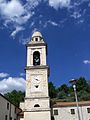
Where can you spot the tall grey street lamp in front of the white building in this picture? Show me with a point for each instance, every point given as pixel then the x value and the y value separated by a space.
pixel 73 82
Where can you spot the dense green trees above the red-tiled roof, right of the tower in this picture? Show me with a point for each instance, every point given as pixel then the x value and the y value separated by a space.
pixel 66 93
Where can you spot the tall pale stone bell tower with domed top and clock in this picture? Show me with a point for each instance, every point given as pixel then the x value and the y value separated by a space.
pixel 37 102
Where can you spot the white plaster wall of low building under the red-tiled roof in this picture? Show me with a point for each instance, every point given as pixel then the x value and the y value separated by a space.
pixel 64 113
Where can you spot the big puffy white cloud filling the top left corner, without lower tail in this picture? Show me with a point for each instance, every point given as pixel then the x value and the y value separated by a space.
pixel 15 11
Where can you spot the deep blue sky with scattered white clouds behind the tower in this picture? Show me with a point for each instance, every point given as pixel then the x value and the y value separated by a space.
pixel 65 27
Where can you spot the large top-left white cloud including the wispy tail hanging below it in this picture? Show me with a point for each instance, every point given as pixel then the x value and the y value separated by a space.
pixel 15 13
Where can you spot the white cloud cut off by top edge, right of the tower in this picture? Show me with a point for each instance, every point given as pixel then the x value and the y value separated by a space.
pixel 59 3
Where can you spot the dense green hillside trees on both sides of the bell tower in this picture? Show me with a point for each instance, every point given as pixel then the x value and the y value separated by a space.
pixel 62 93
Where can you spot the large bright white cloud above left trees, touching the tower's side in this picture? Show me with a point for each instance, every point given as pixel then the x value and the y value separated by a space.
pixel 9 84
